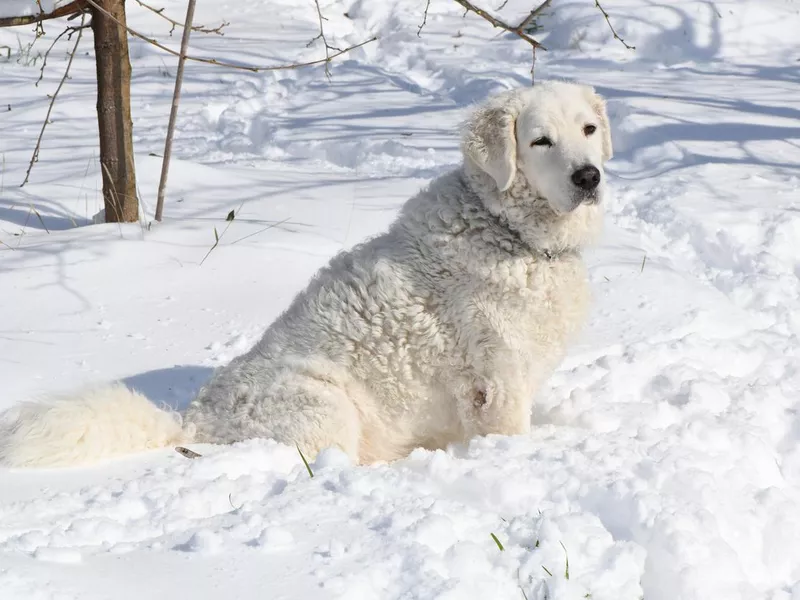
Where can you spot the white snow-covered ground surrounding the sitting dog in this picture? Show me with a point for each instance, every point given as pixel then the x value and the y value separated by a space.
pixel 665 458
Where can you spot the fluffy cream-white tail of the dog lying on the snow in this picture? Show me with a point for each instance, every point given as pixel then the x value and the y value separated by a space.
pixel 90 426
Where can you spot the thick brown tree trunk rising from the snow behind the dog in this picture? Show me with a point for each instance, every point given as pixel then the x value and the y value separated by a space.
pixel 114 112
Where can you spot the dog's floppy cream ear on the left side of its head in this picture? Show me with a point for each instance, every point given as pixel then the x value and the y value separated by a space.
pixel 489 138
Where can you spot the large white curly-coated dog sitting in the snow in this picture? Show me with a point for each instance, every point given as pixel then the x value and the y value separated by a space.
pixel 438 330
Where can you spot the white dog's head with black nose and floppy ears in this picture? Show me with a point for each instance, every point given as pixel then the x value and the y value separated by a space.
pixel 555 135
